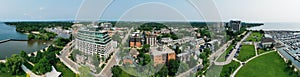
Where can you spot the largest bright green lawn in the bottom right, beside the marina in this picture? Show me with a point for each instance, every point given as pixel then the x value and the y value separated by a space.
pixel 269 65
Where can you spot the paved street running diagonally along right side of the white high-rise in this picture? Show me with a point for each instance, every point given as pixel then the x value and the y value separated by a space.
pixel 106 71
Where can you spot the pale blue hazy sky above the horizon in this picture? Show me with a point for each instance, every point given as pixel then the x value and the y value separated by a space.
pixel 247 10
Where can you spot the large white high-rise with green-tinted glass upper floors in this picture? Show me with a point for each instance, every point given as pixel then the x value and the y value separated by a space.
pixel 93 40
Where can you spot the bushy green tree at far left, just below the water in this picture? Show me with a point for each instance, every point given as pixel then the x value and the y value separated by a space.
pixel 14 64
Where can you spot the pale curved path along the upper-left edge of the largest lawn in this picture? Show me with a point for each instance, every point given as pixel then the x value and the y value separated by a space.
pixel 234 73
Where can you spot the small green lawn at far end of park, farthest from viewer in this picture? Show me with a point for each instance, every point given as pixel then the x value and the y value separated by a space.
pixel 255 37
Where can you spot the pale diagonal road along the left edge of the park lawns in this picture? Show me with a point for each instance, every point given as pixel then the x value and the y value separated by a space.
pixel 231 56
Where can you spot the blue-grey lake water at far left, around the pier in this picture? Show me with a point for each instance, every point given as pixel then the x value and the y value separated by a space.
pixel 15 47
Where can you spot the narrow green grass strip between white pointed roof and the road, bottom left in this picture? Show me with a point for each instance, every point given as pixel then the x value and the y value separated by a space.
pixel 66 72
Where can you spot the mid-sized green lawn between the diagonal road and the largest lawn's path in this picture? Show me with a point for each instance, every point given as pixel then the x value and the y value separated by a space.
pixel 246 52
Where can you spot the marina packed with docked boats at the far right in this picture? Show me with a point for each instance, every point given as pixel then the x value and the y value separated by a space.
pixel 291 44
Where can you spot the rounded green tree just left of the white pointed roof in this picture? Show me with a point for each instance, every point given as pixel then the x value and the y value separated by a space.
pixel 42 67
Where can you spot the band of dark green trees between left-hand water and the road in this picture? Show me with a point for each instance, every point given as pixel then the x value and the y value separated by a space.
pixel 44 60
